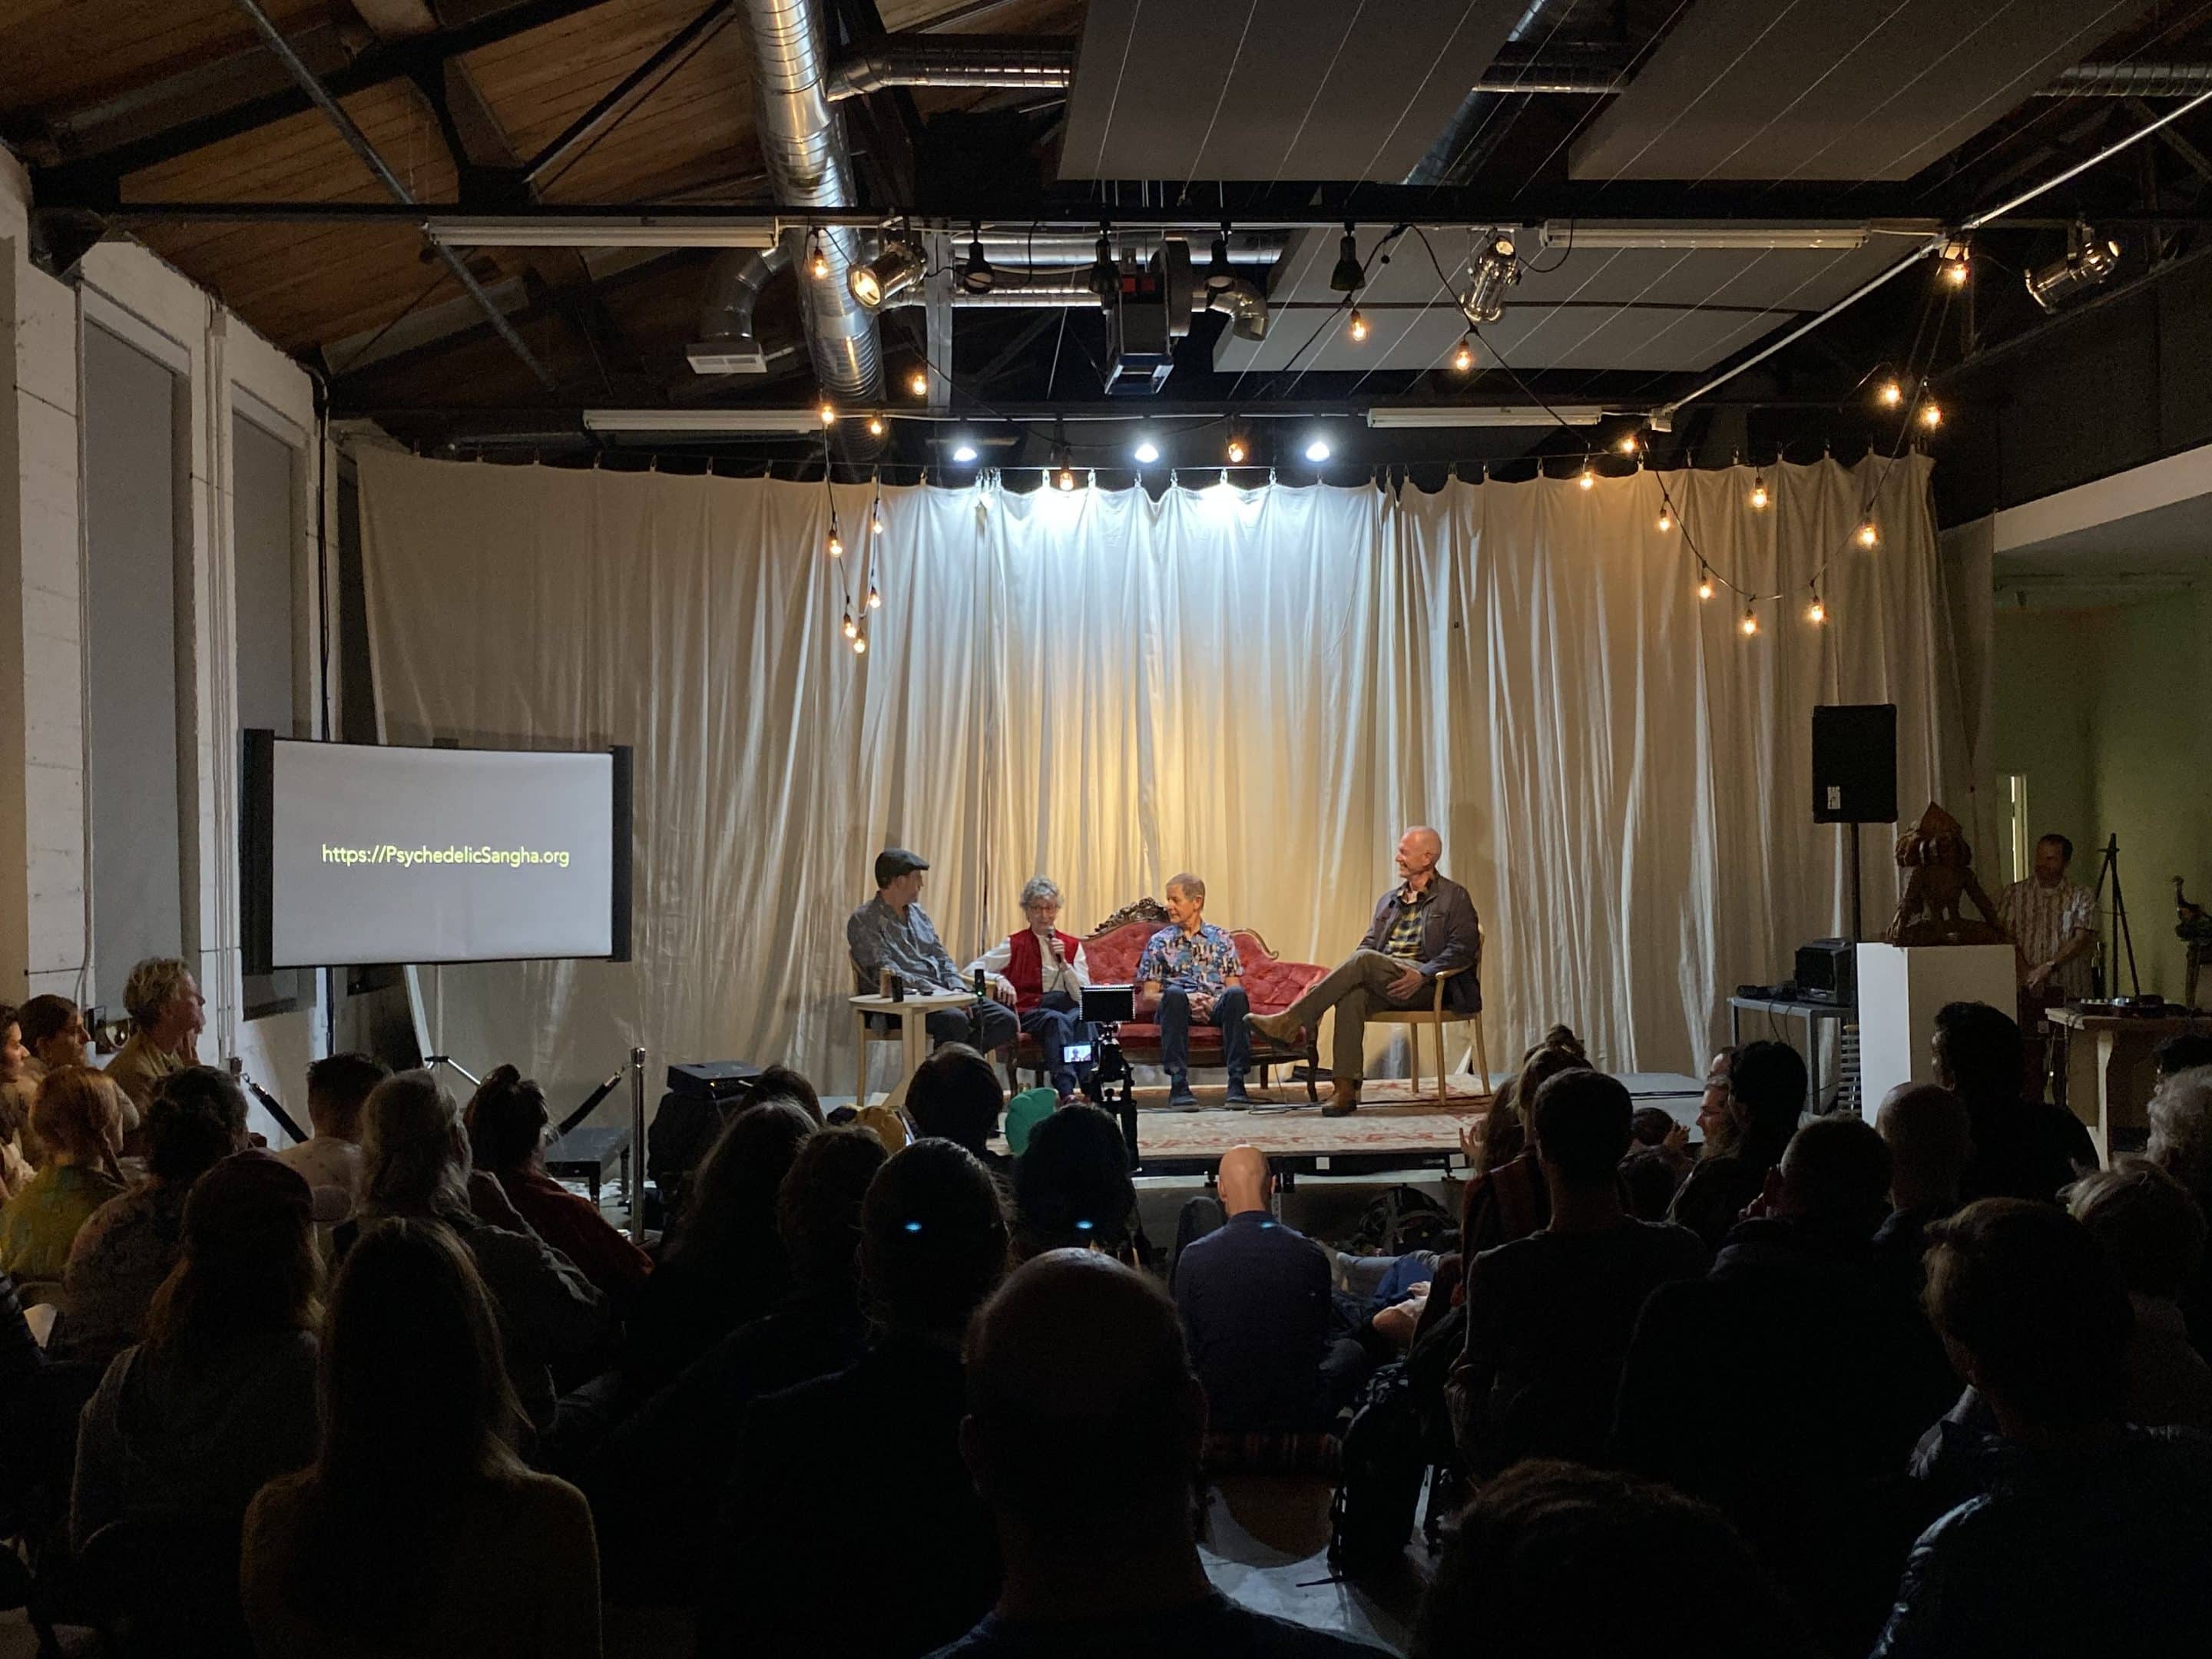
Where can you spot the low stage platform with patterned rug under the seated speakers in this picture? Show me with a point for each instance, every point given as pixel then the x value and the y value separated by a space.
pixel 1390 1131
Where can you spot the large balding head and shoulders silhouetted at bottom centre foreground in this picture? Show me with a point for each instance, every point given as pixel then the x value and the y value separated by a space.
pixel 1083 1434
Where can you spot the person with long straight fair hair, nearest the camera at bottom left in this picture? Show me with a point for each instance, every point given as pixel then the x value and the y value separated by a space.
pixel 417 1530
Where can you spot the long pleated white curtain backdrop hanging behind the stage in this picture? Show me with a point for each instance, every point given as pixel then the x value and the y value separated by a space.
pixel 1260 687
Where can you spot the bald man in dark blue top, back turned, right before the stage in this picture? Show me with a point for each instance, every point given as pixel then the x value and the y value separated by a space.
pixel 1255 1300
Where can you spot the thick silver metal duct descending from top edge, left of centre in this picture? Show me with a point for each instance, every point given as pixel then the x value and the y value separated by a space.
pixel 808 167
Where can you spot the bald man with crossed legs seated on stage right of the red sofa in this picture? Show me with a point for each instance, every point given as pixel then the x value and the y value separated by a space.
pixel 1423 928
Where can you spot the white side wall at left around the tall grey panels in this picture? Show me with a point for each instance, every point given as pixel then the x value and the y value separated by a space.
pixel 45 937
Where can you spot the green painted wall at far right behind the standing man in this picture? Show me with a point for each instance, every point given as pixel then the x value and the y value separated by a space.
pixel 2109 716
